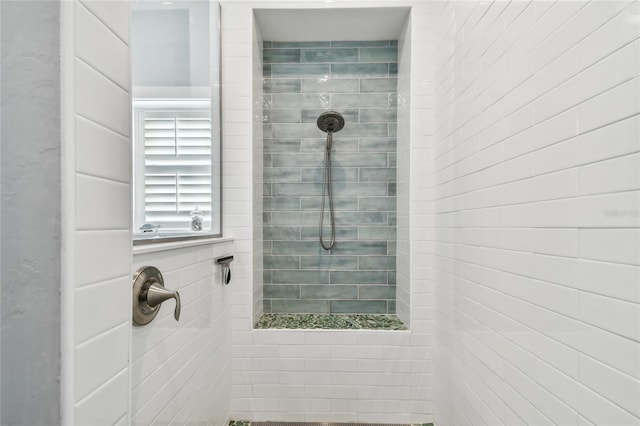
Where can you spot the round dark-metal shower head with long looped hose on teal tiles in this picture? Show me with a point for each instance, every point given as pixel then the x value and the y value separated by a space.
pixel 330 122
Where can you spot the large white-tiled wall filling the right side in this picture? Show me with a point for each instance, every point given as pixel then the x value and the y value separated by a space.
pixel 536 197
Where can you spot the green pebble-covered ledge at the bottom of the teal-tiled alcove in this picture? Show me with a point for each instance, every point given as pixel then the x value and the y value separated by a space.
pixel 331 321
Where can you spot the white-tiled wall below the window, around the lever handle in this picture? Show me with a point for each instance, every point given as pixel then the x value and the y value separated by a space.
pixel 181 370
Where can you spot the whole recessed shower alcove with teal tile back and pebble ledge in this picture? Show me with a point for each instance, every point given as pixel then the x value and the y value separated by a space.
pixel 355 61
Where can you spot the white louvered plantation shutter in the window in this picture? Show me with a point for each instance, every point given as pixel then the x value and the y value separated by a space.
pixel 176 145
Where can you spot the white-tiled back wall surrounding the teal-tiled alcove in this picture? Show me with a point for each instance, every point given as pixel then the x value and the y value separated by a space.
pixel 334 375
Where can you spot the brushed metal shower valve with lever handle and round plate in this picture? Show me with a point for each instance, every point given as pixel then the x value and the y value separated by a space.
pixel 148 295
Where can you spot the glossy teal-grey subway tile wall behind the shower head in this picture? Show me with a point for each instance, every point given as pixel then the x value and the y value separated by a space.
pixel 302 80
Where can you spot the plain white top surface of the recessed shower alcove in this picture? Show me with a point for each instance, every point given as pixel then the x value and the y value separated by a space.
pixel 381 23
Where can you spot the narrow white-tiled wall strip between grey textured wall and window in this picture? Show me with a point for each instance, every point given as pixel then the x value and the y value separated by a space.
pixel 96 205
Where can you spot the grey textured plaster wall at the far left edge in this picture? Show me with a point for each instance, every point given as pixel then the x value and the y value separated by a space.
pixel 30 210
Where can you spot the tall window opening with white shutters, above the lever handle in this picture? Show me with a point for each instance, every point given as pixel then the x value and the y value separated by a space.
pixel 175 90
